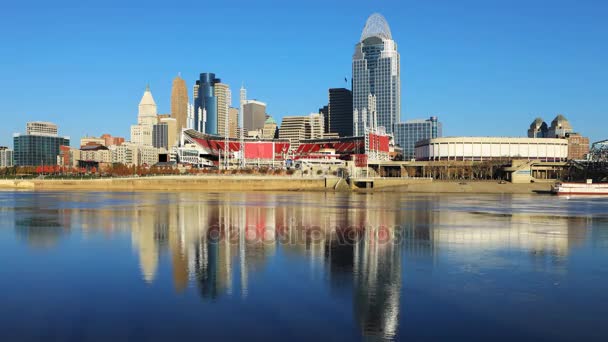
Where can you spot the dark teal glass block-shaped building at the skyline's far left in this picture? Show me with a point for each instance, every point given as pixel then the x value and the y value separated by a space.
pixel 37 149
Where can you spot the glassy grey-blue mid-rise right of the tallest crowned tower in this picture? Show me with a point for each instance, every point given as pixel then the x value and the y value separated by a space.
pixel 408 133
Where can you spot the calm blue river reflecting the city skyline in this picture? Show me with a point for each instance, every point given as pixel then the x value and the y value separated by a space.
pixel 301 266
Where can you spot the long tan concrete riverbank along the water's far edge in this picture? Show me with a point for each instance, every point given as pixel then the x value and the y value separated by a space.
pixel 269 183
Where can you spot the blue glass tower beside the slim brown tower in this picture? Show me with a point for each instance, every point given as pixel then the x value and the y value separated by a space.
pixel 205 104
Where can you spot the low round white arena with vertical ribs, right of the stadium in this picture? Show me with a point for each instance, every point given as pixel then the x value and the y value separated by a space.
pixel 487 148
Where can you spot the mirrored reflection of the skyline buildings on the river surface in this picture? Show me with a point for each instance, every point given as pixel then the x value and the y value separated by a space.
pixel 216 242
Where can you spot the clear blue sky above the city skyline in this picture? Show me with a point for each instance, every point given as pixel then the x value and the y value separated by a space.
pixel 485 67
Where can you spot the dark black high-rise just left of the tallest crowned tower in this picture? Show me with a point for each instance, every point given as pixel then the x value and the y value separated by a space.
pixel 340 112
